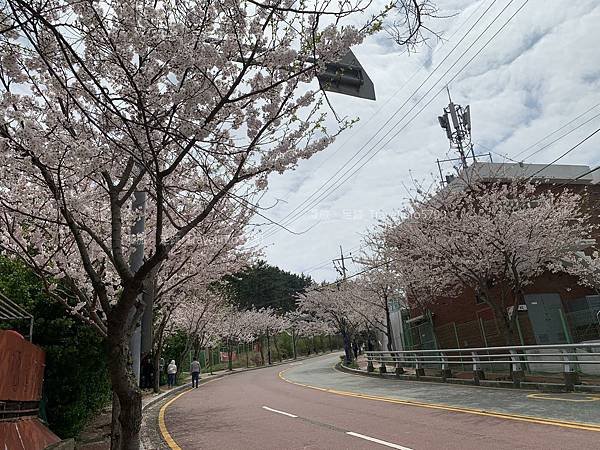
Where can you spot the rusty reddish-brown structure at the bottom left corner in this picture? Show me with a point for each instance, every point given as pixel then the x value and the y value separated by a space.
pixel 21 377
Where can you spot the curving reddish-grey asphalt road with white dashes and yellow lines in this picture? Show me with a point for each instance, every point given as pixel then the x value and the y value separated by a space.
pixel 309 405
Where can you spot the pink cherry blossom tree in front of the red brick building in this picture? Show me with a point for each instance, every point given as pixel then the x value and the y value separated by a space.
pixel 493 239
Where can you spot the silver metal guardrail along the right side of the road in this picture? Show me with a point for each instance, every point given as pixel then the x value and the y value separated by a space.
pixel 517 358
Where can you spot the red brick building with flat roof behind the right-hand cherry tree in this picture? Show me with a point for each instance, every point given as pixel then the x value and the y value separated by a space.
pixel 557 308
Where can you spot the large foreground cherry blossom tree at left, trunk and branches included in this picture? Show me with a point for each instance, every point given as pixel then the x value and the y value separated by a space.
pixel 183 106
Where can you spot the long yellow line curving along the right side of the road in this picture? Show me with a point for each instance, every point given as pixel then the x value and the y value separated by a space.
pixel 478 412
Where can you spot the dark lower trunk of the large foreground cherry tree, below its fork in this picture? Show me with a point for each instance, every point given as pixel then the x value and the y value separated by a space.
pixel 128 402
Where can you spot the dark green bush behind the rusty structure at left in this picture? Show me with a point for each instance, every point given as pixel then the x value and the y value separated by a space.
pixel 76 382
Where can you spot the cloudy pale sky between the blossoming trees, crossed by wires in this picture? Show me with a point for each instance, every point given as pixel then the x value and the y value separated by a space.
pixel 540 73
